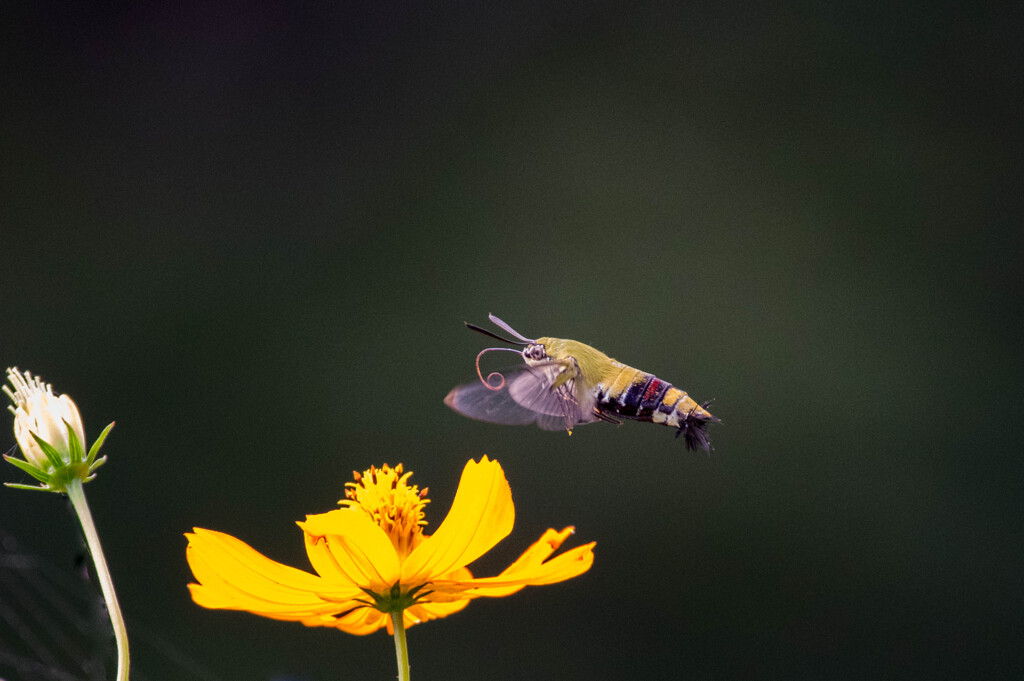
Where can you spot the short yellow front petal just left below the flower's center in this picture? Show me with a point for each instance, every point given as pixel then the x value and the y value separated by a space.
pixel 347 546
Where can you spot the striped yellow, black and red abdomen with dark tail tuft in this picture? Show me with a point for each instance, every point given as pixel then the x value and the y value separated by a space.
pixel 635 395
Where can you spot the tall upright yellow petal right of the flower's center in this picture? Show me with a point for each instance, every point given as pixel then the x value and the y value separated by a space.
pixel 482 516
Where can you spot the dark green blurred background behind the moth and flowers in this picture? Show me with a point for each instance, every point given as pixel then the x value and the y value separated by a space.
pixel 250 235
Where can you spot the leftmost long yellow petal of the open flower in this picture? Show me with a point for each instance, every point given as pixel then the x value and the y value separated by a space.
pixel 232 575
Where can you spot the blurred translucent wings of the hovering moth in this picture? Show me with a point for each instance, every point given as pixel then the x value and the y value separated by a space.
pixel 527 397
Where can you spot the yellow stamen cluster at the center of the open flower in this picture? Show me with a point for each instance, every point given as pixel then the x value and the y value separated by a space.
pixel 397 507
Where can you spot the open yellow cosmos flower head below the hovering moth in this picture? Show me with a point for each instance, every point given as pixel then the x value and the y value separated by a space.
pixel 373 560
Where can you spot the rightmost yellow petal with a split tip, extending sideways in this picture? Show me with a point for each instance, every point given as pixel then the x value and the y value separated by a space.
pixel 529 570
